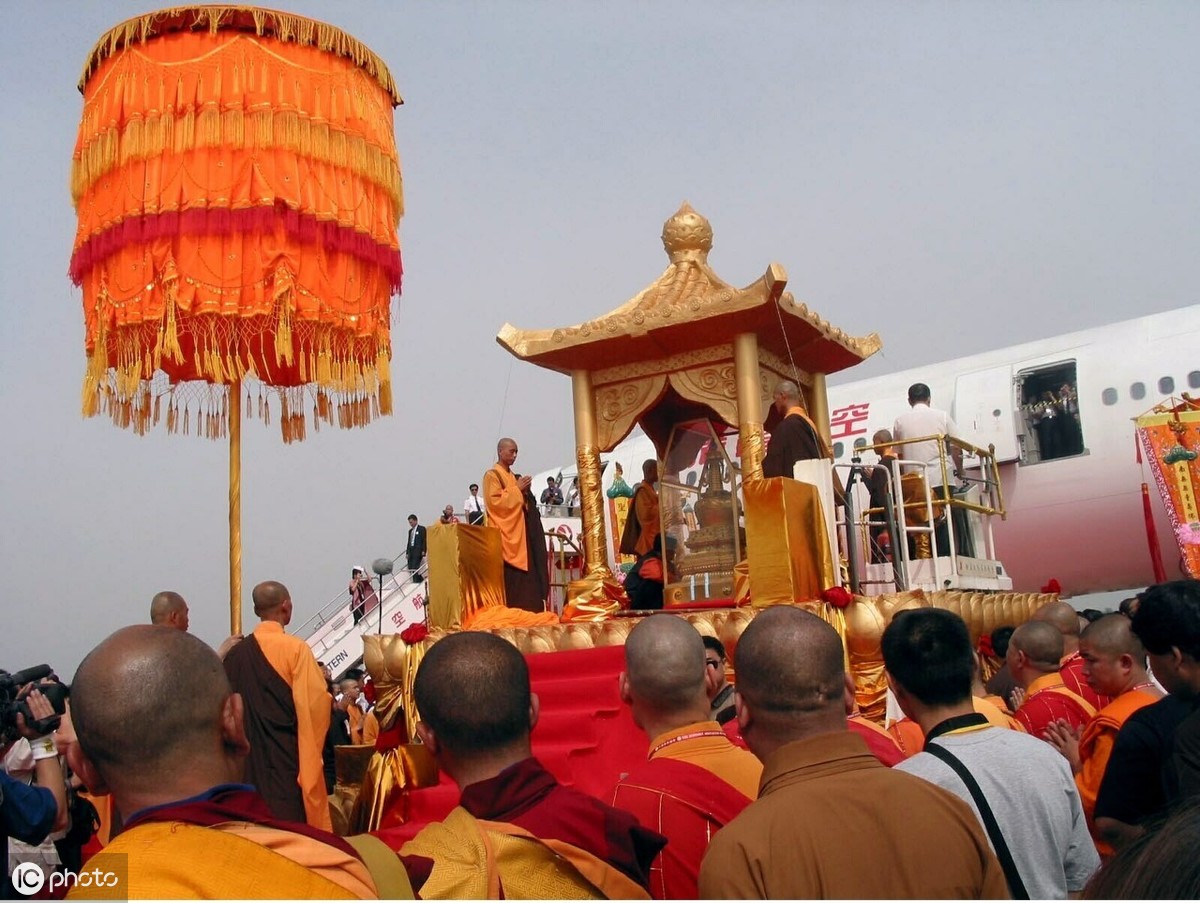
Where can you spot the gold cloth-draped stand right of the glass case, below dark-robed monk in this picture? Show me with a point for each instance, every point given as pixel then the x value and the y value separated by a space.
pixel 787 542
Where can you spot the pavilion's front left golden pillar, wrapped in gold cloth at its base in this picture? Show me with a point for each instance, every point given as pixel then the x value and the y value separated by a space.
pixel 598 594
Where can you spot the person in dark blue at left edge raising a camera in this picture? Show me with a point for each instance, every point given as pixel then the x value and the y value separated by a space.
pixel 32 812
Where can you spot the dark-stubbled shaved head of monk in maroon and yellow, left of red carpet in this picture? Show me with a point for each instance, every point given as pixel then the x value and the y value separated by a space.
pixel 473 690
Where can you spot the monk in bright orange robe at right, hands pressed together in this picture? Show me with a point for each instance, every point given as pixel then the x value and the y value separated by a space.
pixel 1115 666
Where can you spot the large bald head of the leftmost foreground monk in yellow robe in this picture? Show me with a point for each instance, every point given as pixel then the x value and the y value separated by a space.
pixel 147 705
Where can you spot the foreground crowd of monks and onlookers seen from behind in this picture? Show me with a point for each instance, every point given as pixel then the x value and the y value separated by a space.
pixel 1079 780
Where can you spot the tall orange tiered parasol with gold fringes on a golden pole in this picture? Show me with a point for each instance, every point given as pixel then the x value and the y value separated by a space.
pixel 238 190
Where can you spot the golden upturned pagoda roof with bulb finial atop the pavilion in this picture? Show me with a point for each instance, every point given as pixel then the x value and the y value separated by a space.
pixel 689 309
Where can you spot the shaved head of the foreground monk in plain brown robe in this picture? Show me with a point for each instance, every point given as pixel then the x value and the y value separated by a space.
pixel 791 677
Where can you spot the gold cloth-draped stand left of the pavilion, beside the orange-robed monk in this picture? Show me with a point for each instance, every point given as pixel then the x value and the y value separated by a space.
pixel 466 572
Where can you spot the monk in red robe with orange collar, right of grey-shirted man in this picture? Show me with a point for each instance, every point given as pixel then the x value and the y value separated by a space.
pixel 1034 654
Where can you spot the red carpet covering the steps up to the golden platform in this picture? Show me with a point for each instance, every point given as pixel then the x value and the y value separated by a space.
pixel 585 735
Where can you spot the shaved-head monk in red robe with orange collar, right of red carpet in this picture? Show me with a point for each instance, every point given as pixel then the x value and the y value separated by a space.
pixel 694 781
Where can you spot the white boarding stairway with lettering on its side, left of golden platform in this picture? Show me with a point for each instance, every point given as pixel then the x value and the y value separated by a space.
pixel 337 641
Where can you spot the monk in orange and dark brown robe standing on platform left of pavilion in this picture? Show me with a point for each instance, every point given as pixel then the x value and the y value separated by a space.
pixel 511 509
